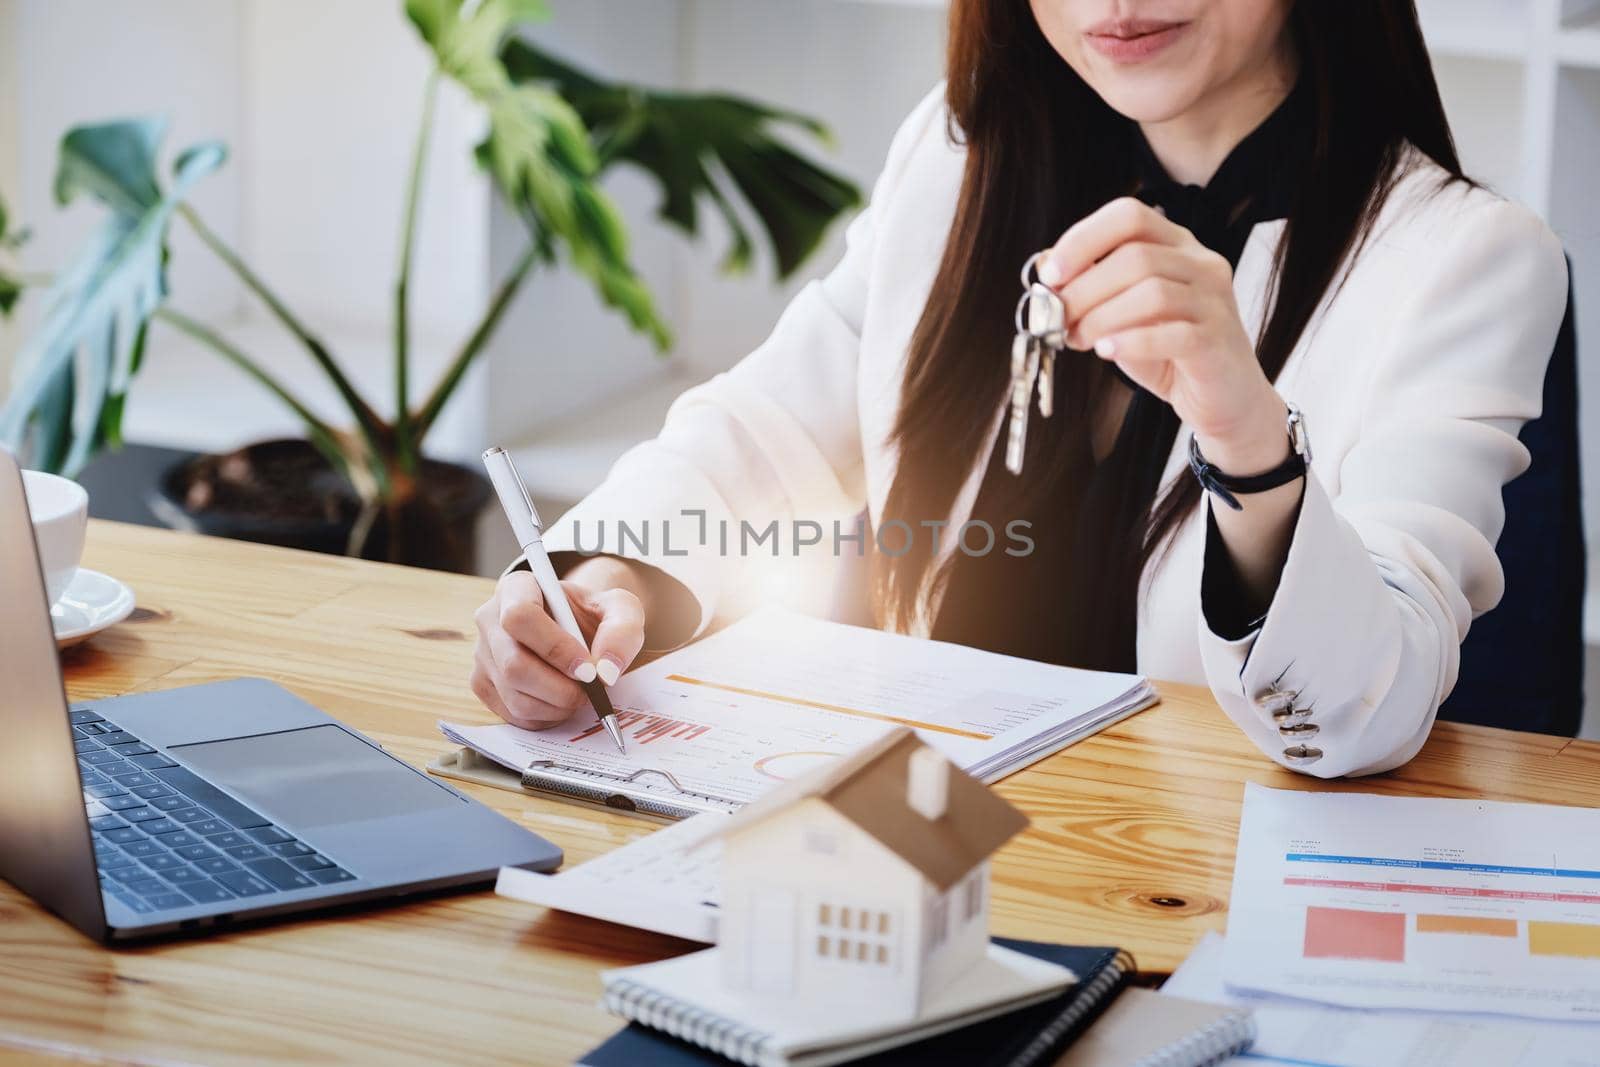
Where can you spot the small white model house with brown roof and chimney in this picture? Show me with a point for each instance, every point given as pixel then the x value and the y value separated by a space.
pixel 868 877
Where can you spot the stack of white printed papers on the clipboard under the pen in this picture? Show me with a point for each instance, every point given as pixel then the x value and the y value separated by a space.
pixel 719 722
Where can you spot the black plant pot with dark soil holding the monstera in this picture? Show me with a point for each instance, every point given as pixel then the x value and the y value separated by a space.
pixel 286 494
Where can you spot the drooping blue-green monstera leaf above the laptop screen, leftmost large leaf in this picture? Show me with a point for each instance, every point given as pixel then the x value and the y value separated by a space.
pixel 74 370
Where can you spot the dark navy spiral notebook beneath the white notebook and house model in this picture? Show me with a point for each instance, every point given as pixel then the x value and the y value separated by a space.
pixel 1025 1037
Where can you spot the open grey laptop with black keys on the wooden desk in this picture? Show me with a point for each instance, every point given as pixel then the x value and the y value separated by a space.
pixel 210 805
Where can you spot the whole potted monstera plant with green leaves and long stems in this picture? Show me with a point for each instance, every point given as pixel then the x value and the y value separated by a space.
pixel 554 132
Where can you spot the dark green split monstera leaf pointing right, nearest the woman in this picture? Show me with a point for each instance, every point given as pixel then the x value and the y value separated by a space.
pixel 705 146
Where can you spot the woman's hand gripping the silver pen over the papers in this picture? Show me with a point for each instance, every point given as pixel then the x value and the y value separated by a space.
pixel 527 669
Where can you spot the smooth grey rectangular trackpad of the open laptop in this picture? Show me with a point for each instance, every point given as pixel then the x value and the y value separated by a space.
pixel 314 777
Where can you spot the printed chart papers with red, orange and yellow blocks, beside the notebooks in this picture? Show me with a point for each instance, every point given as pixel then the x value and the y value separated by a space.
pixel 1410 930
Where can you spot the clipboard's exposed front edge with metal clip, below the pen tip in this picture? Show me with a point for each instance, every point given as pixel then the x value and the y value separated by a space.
pixel 649 794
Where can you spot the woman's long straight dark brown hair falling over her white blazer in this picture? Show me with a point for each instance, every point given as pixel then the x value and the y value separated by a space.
pixel 1036 142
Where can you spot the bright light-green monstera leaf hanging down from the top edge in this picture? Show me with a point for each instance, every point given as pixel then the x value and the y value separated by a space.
pixel 537 150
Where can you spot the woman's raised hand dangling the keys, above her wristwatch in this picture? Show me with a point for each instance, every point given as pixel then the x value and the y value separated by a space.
pixel 1146 295
